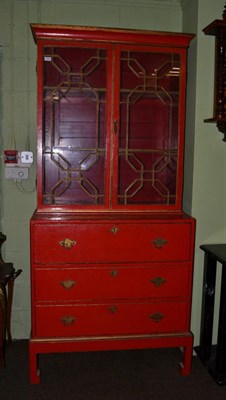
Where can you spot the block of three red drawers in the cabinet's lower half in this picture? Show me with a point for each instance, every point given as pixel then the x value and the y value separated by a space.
pixel 116 278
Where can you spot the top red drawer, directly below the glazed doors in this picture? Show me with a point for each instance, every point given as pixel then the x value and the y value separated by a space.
pixel 101 243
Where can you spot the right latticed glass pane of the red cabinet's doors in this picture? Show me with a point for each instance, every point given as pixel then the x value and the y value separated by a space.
pixel 148 147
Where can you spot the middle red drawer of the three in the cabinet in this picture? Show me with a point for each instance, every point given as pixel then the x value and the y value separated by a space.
pixel 69 284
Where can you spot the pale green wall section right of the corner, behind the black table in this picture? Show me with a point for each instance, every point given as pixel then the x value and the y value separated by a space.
pixel 209 173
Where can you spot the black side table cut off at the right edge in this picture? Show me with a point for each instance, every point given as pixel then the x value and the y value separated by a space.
pixel 213 357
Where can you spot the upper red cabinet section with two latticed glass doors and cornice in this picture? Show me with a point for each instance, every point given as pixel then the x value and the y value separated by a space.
pixel 111 114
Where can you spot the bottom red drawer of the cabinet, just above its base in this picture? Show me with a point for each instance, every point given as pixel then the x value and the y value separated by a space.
pixel 110 319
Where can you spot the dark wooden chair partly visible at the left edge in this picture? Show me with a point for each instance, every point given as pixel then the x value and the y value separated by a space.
pixel 8 274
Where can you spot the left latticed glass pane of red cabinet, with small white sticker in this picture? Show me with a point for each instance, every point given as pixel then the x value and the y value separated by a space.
pixel 74 125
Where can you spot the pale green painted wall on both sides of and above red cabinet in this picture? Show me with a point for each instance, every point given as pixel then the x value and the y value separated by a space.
pixel 204 184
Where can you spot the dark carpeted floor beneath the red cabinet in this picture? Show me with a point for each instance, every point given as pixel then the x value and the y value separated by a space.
pixel 120 375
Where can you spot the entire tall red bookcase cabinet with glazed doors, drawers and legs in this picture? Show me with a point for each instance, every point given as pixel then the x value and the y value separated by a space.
pixel 111 249
